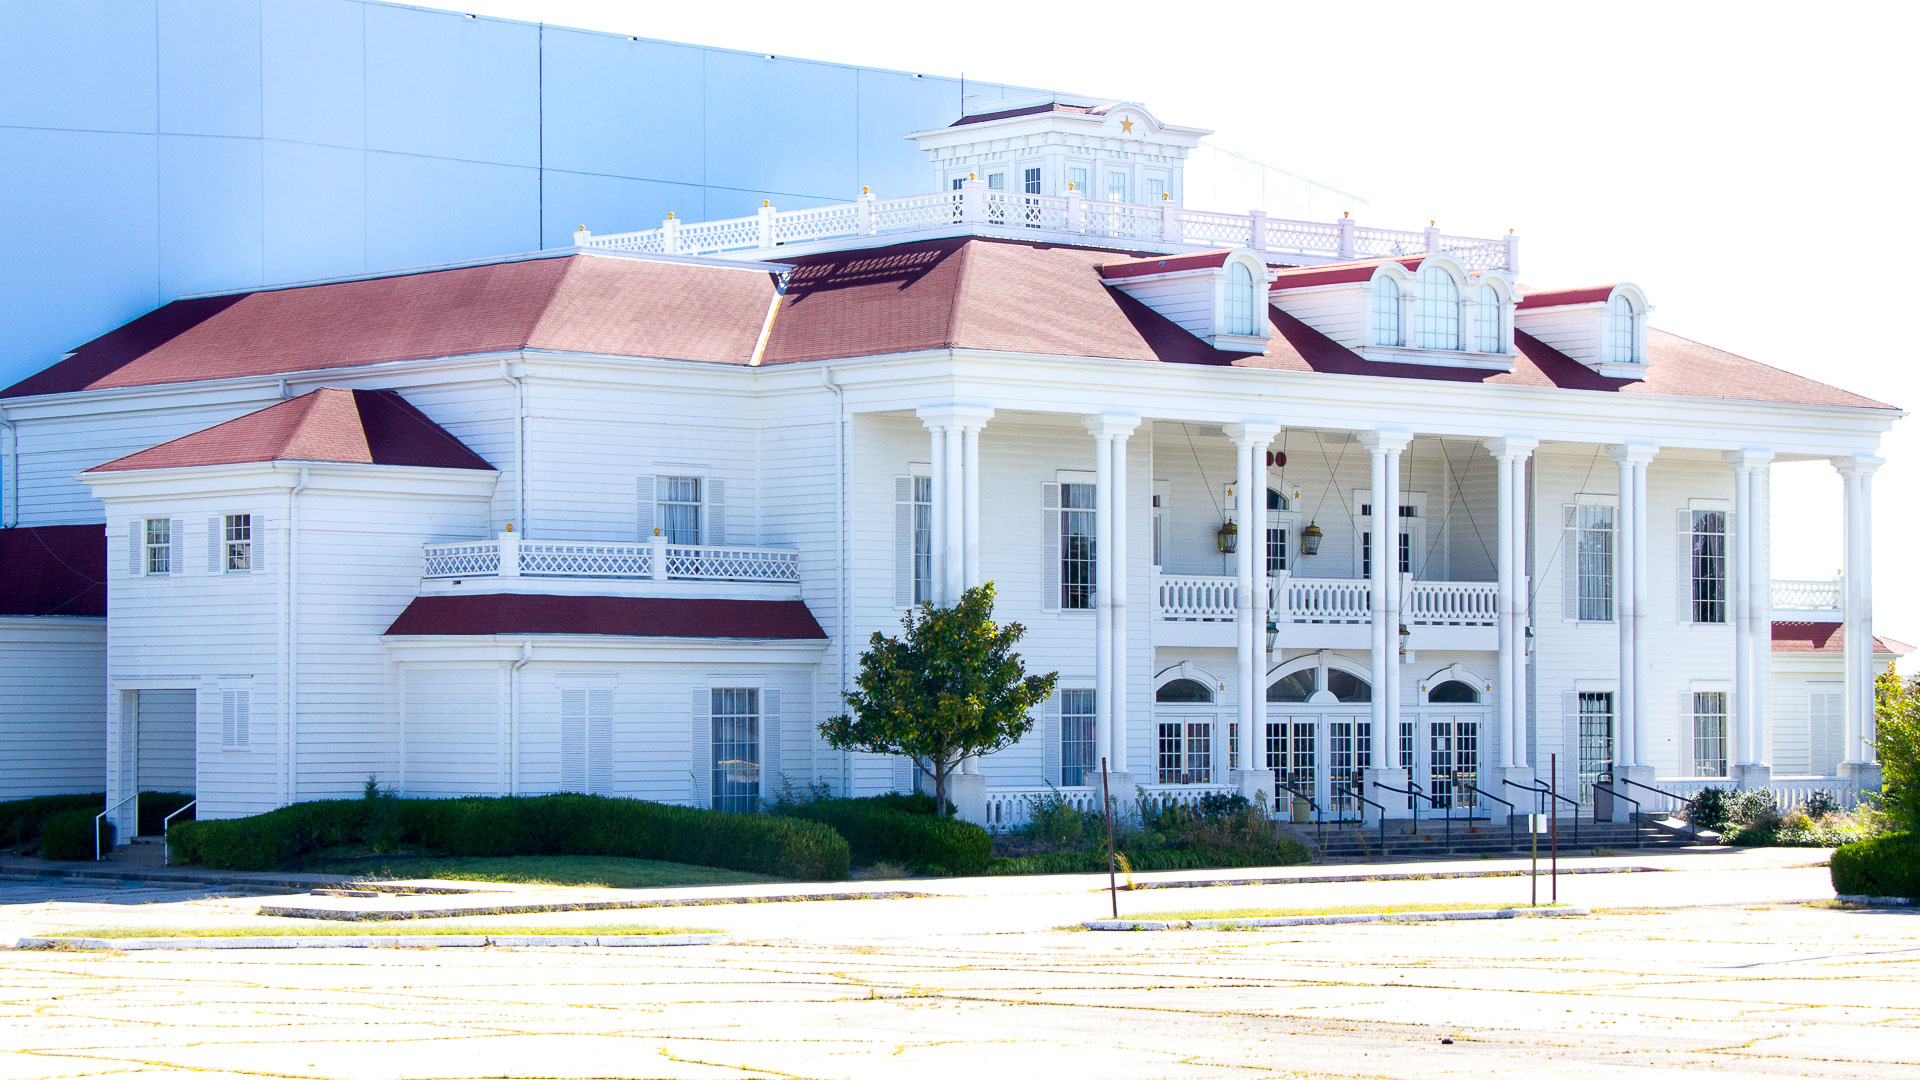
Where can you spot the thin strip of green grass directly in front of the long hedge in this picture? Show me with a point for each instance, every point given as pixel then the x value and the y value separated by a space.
pixel 606 871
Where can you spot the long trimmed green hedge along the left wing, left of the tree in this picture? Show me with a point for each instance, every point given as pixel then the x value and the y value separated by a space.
pixel 531 825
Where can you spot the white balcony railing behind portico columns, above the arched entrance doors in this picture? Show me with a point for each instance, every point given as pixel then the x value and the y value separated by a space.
pixel 1214 599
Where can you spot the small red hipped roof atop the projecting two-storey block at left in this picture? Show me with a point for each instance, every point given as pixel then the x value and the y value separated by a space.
pixel 360 428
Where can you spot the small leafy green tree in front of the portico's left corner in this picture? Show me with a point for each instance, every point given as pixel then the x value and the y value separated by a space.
pixel 948 689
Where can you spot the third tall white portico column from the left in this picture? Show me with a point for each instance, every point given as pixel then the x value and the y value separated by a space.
pixel 1251 441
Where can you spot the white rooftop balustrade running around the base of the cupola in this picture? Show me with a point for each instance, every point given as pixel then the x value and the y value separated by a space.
pixel 1070 214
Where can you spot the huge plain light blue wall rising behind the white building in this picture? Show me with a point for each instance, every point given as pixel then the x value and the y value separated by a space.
pixel 162 147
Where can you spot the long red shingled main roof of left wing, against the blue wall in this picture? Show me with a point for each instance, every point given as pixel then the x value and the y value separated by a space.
pixel 571 303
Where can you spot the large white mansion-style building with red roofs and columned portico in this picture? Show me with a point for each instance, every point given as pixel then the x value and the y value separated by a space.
pixel 621 518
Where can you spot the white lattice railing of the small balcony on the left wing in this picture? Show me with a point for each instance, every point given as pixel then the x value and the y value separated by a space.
pixel 658 560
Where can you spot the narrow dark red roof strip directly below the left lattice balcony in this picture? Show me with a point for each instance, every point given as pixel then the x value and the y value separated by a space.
pixel 613 616
